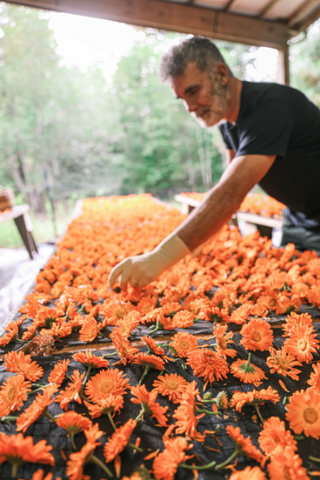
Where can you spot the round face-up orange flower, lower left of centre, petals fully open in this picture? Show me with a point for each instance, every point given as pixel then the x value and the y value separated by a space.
pixel 104 383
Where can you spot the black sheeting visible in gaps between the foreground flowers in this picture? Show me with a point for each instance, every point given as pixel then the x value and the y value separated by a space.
pixel 151 436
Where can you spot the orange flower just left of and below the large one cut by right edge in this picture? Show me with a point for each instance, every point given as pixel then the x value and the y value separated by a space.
pixel 273 434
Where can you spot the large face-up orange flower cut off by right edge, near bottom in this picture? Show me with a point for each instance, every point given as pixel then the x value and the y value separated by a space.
pixel 304 412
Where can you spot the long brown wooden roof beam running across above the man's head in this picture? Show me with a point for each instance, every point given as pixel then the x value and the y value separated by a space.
pixel 177 17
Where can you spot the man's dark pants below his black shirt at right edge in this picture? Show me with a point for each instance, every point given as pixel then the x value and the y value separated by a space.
pixel 303 238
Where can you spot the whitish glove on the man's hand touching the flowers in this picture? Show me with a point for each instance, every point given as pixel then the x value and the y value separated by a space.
pixel 143 269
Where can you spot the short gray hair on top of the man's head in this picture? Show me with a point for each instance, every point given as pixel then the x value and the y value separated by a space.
pixel 196 49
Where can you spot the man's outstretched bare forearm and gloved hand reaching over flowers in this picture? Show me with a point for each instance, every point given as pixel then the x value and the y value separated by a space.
pixel 207 219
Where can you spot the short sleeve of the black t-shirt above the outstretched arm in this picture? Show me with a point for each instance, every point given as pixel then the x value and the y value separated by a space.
pixel 265 131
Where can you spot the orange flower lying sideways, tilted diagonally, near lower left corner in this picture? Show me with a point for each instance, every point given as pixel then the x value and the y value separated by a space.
pixel 37 409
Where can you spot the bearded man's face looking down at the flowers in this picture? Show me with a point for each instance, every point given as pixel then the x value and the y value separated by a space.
pixel 203 95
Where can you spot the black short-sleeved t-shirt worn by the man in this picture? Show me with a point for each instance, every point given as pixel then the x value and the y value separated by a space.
pixel 279 120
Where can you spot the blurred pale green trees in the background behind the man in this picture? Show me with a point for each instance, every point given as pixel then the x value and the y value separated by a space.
pixel 68 133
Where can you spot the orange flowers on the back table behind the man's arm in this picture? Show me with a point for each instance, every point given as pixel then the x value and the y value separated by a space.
pixel 254 203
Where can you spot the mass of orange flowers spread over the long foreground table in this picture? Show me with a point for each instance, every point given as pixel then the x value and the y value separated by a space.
pixel 235 284
